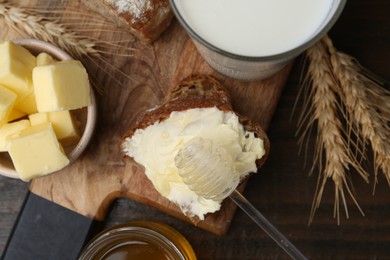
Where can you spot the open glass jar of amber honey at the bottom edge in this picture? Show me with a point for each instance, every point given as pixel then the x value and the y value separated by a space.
pixel 138 240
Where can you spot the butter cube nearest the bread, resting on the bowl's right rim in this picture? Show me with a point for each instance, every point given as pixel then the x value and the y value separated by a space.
pixel 61 86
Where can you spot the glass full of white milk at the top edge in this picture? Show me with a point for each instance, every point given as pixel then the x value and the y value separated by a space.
pixel 253 39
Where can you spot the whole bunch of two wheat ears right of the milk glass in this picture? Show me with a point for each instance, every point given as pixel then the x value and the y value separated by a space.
pixel 338 90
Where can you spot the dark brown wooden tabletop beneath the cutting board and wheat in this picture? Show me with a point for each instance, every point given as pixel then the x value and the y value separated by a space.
pixel 282 190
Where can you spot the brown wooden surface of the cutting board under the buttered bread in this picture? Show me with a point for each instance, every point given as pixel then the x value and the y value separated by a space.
pixel 90 185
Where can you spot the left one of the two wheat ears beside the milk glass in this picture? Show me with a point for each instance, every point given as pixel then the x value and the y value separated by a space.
pixel 322 106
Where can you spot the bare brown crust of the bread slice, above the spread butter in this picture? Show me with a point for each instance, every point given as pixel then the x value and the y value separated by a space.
pixel 198 91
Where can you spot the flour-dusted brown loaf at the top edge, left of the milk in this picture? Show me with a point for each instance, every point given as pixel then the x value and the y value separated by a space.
pixel 146 19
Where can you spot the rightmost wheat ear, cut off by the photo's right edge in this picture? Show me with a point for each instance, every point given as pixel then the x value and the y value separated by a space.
pixel 368 106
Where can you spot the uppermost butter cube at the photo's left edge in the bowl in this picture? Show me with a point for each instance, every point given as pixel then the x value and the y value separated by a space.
pixel 16 65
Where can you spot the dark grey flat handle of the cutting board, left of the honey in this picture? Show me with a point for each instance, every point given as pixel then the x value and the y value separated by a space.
pixel 45 230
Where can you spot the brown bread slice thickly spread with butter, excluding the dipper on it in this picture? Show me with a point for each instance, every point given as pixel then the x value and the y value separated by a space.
pixel 159 133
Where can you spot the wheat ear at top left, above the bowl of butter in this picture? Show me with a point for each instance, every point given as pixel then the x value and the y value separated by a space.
pixel 28 22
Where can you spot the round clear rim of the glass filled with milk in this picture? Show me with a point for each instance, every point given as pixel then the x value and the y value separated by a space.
pixel 280 56
